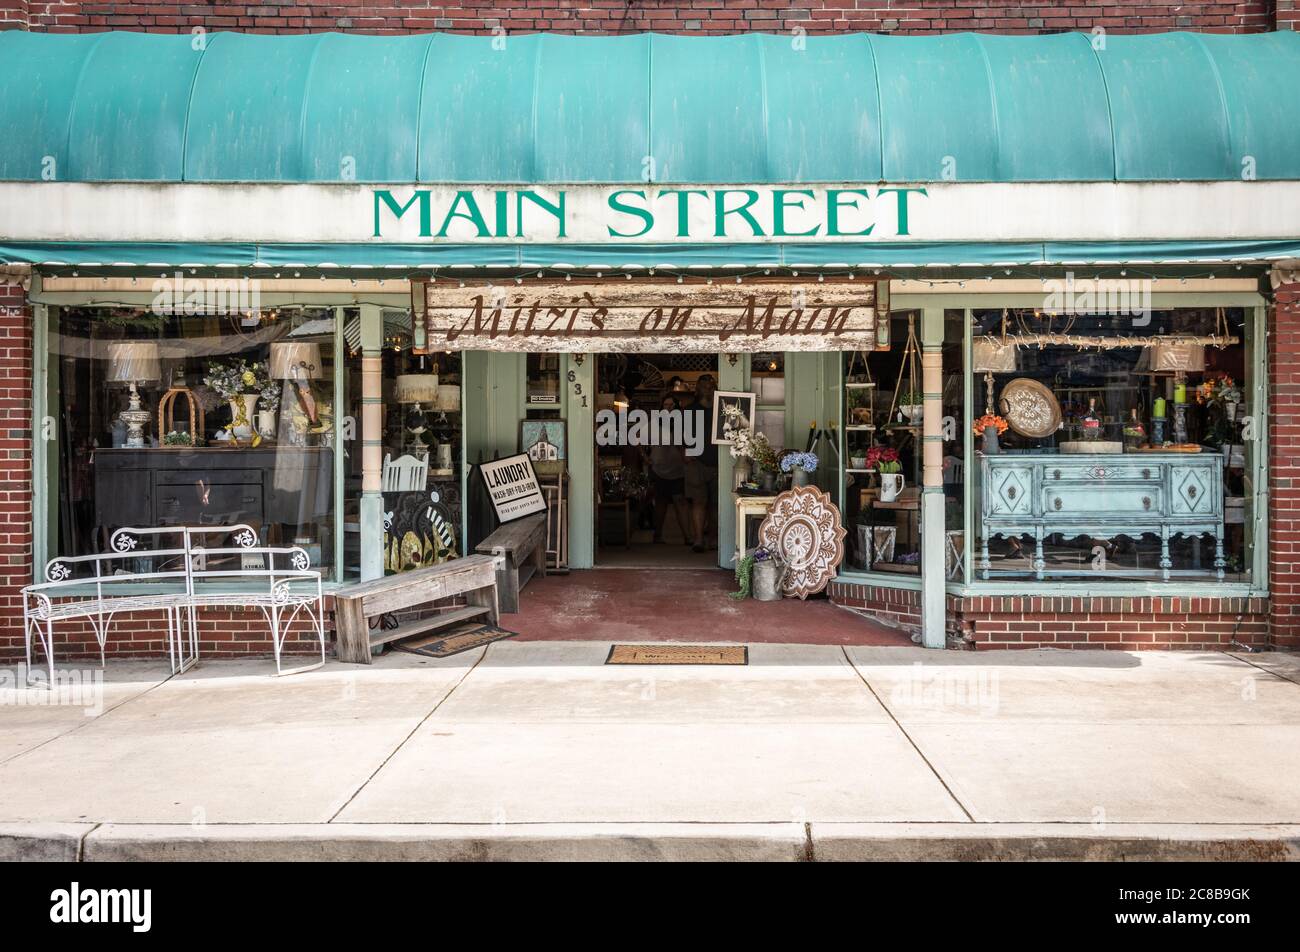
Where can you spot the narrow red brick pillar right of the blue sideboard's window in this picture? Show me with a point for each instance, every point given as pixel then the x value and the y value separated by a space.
pixel 1285 466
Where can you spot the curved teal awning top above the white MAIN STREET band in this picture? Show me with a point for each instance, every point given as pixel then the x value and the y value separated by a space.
pixel 553 109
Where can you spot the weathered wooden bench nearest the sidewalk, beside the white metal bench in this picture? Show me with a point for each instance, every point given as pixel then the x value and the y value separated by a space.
pixel 474 577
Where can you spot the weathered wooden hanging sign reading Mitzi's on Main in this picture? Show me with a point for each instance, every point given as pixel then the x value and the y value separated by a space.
pixel 652 317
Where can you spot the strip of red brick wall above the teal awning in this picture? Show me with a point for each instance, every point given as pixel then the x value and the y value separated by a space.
pixel 662 16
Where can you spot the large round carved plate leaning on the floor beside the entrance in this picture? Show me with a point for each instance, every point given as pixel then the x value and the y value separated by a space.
pixel 804 530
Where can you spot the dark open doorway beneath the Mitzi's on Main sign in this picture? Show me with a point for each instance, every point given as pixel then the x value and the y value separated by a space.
pixel 657 478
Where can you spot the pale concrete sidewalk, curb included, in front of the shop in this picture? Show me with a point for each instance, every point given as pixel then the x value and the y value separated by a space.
pixel 541 751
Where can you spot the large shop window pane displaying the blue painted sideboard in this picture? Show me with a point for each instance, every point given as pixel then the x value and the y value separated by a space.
pixel 1113 448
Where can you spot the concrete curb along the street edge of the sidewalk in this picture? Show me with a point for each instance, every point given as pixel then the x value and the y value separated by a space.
pixel 651 842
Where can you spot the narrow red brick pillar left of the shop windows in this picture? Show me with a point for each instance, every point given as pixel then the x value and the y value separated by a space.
pixel 15 461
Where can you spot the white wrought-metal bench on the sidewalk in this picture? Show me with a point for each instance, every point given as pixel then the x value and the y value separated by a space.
pixel 278 581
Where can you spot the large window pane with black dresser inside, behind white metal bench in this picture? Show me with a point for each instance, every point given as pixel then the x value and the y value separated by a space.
pixel 196 419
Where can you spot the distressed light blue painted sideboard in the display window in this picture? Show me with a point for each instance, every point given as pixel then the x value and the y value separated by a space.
pixel 1103 496
